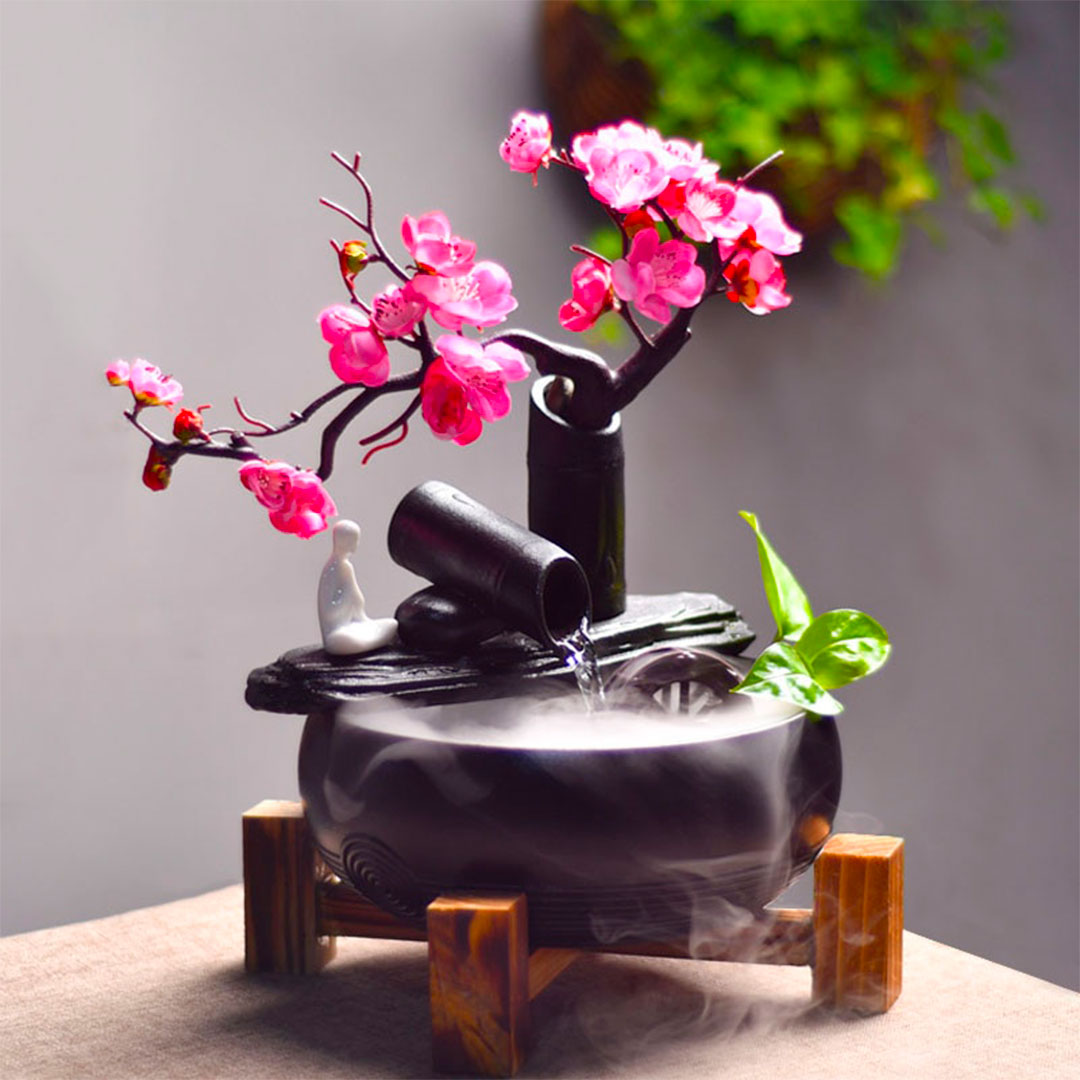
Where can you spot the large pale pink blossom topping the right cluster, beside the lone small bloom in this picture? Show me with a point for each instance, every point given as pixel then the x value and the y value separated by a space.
pixel 625 166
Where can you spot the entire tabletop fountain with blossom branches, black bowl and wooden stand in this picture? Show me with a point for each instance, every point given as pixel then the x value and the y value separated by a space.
pixel 529 762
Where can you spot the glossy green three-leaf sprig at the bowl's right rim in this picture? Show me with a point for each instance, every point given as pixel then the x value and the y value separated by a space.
pixel 809 656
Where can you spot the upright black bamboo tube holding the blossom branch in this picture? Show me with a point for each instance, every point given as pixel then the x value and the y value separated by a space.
pixel 576 497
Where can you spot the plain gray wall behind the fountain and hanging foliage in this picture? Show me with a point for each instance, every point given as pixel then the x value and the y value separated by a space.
pixel 912 450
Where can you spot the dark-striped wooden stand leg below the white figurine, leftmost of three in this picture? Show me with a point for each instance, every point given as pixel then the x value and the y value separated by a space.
pixel 281 917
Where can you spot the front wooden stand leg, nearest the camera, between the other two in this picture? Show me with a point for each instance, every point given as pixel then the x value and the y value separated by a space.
pixel 478 949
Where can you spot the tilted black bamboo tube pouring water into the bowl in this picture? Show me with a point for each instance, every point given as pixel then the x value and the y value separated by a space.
pixel 532 584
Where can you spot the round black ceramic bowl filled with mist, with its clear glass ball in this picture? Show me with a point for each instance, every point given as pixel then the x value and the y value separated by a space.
pixel 626 825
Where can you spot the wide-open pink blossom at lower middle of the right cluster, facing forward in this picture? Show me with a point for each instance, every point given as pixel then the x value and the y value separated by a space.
pixel 655 275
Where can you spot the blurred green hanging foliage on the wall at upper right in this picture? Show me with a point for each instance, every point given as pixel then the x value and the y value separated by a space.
pixel 854 92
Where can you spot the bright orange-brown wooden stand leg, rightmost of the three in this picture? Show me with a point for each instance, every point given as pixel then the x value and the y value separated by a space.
pixel 859 923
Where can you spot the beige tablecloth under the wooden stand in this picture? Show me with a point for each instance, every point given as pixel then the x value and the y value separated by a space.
pixel 163 993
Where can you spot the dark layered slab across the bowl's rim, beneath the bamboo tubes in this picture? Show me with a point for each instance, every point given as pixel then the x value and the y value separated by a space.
pixel 308 680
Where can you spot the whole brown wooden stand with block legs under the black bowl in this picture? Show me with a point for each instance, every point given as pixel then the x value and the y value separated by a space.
pixel 483 975
